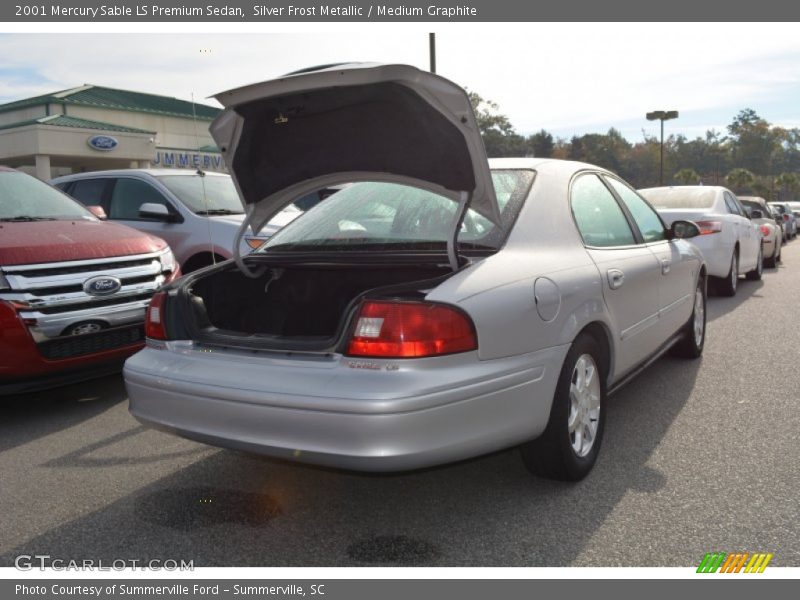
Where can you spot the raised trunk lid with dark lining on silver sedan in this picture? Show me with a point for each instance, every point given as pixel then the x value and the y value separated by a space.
pixel 293 135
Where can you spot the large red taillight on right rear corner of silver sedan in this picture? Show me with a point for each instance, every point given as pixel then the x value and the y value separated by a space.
pixel 410 330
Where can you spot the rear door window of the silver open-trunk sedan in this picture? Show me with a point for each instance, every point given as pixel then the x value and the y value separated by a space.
pixel 599 218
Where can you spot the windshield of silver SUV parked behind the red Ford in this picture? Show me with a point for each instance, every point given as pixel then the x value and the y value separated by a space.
pixel 206 194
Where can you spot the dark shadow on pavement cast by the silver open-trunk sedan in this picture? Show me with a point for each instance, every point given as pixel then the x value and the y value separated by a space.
pixel 232 509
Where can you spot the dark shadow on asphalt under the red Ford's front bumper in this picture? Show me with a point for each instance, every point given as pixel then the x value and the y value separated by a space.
pixel 26 417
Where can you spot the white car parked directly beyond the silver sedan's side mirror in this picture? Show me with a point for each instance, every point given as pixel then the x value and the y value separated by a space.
pixel 730 242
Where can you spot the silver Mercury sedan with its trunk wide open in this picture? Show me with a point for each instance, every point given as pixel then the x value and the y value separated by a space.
pixel 439 307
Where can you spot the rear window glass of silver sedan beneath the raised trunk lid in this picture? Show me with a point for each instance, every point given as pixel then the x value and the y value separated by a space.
pixel 387 216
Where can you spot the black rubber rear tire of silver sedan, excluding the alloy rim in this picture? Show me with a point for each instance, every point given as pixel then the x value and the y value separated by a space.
pixel 552 454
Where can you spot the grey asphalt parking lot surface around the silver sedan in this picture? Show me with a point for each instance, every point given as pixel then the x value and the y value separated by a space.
pixel 699 456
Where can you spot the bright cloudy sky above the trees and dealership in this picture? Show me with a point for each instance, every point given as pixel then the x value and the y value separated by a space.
pixel 567 78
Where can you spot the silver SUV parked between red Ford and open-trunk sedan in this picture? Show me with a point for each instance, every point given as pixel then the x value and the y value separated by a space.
pixel 198 213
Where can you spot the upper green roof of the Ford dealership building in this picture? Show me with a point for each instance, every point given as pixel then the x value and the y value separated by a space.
pixel 103 97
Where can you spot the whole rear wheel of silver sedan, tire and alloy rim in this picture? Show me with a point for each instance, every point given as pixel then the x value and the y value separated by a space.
pixel 568 448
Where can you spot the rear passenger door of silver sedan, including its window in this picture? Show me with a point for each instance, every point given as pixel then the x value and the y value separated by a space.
pixel 629 270
